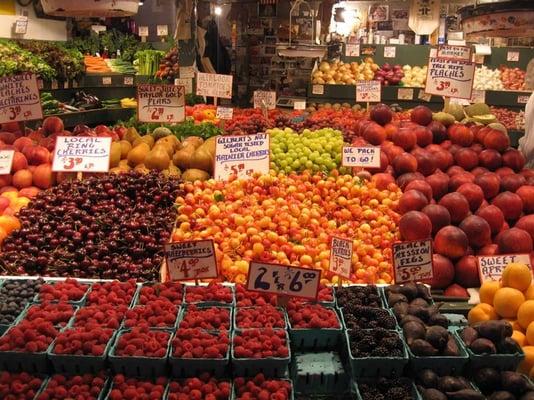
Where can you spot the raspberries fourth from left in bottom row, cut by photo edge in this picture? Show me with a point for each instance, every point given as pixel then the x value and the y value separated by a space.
pixel 202 388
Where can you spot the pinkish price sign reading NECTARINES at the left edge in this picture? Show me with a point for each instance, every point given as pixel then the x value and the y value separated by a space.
pixel 19 98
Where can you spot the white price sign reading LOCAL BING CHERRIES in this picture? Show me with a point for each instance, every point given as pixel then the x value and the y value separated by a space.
pixel 81 154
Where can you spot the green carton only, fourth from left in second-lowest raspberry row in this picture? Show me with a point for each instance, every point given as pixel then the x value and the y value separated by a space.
pixel 191 367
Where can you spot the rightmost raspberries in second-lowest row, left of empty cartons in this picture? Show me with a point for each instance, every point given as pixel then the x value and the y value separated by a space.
pixel 260 343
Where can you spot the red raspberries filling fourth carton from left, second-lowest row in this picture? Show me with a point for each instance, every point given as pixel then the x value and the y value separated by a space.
pixel 196 343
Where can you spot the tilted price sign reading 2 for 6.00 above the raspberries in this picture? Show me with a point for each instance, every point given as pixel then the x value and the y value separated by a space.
pixel 283 280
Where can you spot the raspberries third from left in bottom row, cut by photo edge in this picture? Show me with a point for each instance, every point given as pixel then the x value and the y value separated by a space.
pixel 131 388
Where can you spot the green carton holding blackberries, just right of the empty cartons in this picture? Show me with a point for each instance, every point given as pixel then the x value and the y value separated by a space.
pixel 370 367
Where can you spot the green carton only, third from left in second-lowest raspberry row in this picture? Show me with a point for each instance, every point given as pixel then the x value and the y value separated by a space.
pixel 138 366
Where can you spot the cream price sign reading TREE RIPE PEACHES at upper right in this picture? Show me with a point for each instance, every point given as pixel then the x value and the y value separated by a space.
pixel 450 78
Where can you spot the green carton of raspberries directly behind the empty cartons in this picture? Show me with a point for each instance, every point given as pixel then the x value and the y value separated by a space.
pixel 316 338
